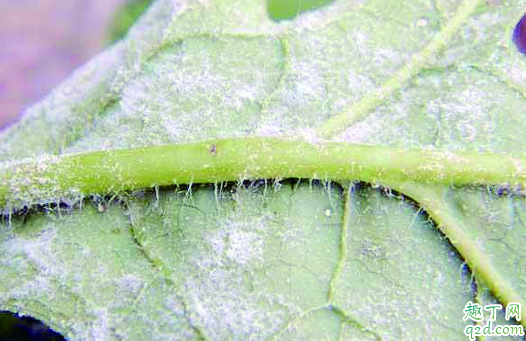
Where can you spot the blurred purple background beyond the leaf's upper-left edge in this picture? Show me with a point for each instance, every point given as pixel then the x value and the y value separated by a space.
pixel 42 41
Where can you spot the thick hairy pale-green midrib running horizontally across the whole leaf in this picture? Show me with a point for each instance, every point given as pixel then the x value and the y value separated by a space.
pixel 52 178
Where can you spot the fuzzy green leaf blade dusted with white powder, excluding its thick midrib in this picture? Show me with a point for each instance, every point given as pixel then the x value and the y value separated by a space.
pixel 271 258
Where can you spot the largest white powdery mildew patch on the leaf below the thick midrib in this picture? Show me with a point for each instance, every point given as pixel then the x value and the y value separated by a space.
pixel 219 299
